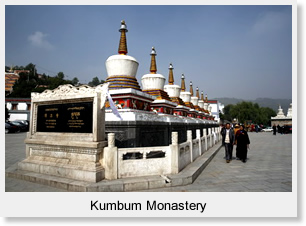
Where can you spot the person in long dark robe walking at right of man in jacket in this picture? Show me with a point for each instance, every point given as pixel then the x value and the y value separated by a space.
pixel 243 142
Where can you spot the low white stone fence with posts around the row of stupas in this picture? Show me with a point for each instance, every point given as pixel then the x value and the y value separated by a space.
pixel 161 160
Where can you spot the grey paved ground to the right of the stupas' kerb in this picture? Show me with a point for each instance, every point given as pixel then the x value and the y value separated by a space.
pixel 268 169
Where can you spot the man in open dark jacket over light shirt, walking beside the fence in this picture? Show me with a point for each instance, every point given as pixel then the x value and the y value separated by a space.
pixel 228 139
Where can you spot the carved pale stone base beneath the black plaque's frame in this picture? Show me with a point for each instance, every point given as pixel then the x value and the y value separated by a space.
pixel 74 162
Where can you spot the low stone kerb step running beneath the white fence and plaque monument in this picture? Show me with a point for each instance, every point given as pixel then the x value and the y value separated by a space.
pixel 187 176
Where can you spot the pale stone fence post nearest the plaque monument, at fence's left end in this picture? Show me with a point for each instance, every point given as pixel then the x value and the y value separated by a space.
pixel 111 158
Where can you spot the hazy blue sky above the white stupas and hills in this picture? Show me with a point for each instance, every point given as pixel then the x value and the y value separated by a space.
pixel 227 51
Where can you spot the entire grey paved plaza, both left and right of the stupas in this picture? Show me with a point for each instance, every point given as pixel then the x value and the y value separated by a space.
pixel 268 169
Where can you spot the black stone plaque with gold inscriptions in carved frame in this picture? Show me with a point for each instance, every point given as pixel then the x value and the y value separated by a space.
pixel 65 118
